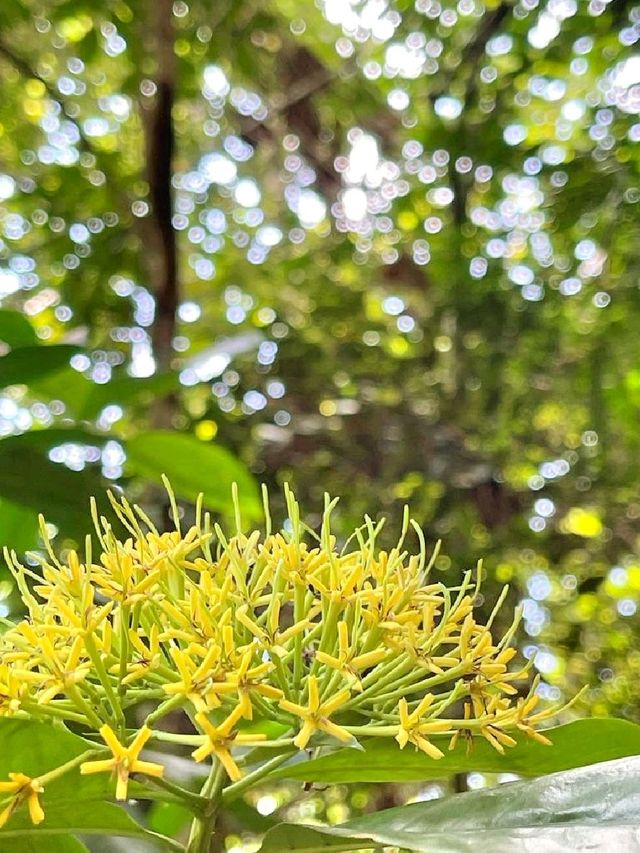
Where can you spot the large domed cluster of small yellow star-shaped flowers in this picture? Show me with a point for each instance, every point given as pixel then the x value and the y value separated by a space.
pixel 276 639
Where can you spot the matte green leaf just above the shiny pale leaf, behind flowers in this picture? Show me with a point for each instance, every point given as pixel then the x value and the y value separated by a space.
pixel 574 745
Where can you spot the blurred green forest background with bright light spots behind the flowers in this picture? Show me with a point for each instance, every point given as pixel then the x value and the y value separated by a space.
pixel 405 270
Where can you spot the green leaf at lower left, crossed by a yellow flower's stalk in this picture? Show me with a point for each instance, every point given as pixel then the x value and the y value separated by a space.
pixel 73 804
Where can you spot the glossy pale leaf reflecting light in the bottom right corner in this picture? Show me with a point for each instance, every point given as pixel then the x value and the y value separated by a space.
pixel 589 808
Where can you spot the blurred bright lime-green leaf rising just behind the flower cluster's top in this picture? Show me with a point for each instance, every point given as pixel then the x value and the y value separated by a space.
pixel 193 467
